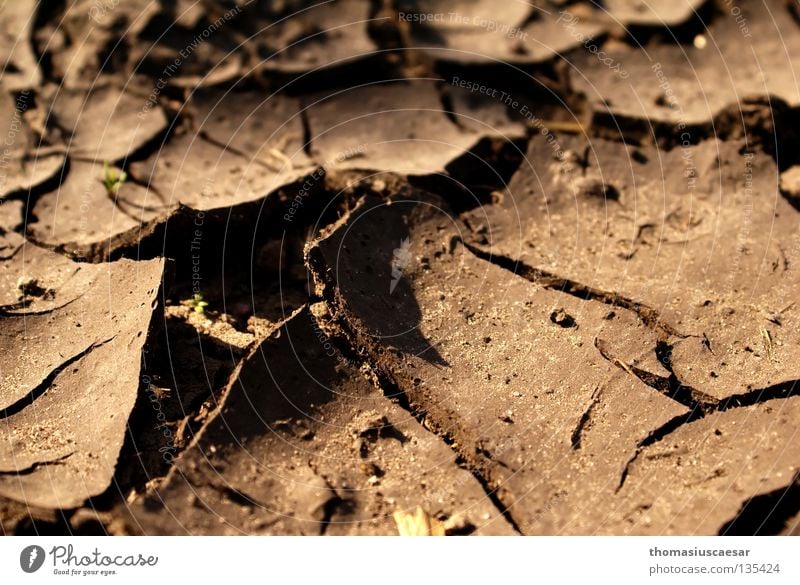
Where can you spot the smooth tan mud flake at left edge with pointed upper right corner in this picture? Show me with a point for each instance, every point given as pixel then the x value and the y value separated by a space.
pixel 51 381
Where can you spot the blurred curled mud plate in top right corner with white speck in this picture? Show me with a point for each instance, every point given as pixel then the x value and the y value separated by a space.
pixel 670 90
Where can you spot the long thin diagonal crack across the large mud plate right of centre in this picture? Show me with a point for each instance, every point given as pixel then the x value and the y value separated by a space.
pixel 647 315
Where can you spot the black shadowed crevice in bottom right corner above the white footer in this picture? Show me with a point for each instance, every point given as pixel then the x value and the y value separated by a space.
pixel 766 514
